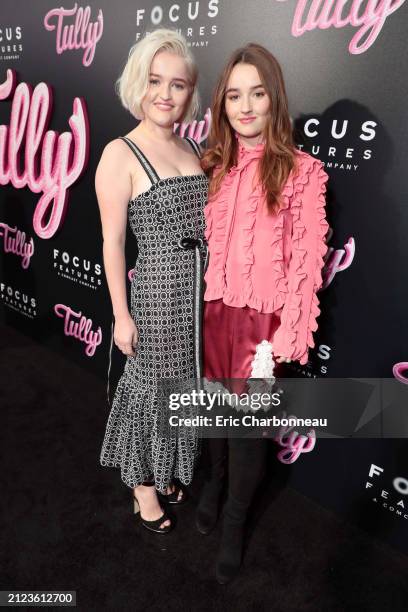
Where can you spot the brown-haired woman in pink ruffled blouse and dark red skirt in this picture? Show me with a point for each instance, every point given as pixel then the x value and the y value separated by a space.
pixel 266 236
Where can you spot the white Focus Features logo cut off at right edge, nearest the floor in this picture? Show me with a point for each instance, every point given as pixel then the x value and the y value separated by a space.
pixel 394 498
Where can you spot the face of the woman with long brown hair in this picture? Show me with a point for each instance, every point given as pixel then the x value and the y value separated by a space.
pixel 247 104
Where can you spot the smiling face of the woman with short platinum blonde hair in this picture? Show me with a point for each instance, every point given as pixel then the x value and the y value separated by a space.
pixel 169 89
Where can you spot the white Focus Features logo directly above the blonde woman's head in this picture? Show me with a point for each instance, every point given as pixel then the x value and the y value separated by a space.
pixel 195 19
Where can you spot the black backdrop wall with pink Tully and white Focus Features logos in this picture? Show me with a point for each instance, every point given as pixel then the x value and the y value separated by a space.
pixel 345 69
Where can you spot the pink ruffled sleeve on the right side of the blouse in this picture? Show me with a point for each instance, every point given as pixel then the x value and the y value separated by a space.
pixel 294 336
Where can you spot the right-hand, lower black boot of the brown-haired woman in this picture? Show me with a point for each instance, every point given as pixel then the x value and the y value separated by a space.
pixel 231 546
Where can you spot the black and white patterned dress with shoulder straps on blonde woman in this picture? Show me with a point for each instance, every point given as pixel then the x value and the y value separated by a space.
pixel 168 223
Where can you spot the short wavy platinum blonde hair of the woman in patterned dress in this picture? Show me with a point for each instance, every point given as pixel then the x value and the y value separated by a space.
pixel 133 83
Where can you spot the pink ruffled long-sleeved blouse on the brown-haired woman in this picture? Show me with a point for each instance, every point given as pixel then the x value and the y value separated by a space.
pixel 270 262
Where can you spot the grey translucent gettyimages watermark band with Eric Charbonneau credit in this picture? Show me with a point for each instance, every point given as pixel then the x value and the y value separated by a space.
pixel 333 407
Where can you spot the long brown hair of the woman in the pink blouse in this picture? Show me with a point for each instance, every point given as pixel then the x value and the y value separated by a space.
pixel 278 158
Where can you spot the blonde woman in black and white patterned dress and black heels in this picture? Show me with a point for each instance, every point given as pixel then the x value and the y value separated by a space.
pixel 152 178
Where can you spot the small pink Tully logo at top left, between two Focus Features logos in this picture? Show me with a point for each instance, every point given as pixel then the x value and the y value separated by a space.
pixel 82 34
